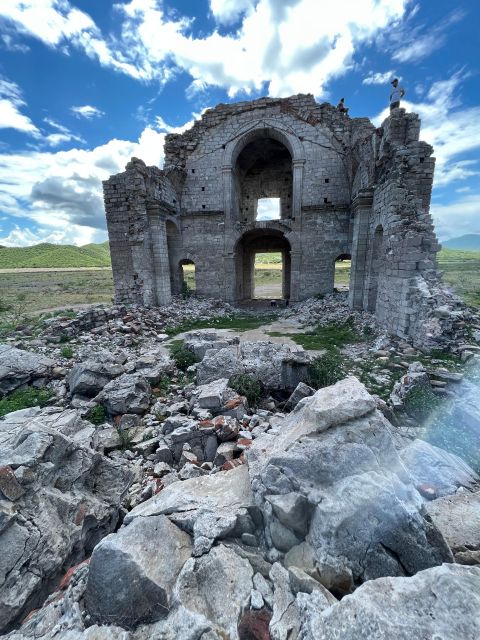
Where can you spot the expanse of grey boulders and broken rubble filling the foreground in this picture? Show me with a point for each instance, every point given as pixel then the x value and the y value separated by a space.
pixel 186 513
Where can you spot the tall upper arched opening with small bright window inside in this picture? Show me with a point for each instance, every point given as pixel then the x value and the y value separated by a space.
pixel 263 181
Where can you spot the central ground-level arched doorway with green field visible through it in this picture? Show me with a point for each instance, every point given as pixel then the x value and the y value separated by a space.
pixel 255 247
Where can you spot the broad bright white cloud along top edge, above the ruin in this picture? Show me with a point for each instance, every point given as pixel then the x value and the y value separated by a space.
pixel 287 46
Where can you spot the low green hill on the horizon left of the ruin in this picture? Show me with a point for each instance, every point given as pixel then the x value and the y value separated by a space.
pixel 55 255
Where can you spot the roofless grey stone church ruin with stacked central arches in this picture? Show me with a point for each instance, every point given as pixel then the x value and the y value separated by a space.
pixel 346 189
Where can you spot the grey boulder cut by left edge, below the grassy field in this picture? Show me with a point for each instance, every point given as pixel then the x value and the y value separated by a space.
pixel 19 368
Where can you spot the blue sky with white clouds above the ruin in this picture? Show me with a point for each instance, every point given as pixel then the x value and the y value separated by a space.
pixel 86 84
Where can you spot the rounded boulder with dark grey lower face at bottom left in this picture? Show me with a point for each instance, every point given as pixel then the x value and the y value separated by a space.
pixel 132 572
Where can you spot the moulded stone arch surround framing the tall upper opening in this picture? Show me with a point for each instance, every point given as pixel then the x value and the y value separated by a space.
pixel 248 135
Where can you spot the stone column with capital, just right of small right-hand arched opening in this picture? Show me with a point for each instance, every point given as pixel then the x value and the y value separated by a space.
pixel 362 209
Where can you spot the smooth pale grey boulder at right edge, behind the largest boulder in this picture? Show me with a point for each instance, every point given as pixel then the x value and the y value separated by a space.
pixel 435 467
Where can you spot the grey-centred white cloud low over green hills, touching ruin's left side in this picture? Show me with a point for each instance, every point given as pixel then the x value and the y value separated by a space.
pixel 61 192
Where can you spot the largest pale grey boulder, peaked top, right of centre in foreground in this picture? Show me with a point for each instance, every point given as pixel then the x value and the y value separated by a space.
pixel 335 495
